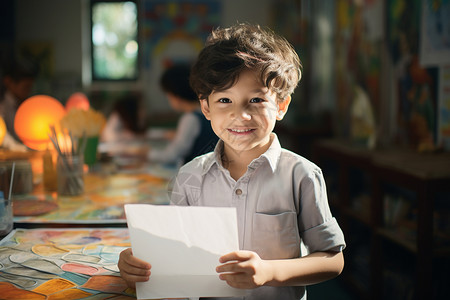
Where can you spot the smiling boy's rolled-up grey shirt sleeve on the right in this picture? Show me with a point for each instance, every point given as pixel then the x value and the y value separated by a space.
pixel 318 228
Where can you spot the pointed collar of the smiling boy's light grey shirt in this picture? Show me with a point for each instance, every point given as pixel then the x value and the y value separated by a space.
pixel 272 155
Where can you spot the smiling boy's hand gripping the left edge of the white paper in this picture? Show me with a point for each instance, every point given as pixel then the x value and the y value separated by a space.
pixel 133 269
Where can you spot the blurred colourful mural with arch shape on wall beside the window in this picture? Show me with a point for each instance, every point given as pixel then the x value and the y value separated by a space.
pixel 174 32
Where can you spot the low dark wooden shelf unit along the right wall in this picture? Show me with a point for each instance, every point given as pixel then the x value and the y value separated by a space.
pixel 361 179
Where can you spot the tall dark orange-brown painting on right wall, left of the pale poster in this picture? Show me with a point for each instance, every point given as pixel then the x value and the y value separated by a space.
pixel 415 86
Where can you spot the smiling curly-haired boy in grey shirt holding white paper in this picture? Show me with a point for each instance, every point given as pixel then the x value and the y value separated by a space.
pixel 244 78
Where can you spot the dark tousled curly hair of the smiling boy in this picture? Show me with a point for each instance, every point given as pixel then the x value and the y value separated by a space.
pixel 229 51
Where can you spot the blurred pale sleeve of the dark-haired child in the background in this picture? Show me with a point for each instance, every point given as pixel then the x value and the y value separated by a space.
pixel 187 130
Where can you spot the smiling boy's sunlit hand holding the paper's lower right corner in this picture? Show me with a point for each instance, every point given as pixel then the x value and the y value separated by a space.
pixel 244 270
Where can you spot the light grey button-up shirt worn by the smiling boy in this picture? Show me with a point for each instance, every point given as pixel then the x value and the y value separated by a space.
pixel 281 201
